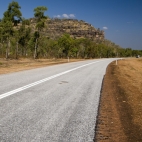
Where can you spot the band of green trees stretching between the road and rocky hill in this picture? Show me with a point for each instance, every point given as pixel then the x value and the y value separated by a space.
pixel 17 39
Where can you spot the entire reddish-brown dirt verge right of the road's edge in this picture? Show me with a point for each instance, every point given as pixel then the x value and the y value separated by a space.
pixel 120 110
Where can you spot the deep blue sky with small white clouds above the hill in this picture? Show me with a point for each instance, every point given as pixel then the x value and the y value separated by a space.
pixel 121 20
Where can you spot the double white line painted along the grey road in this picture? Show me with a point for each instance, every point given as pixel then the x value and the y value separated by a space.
pixel 41 81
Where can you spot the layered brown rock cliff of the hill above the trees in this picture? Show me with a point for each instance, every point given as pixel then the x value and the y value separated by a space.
pixel 77 29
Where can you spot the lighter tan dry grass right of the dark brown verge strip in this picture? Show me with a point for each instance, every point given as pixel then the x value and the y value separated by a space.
pixel 130 77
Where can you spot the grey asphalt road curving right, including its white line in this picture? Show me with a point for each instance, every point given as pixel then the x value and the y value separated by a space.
pixel 52 104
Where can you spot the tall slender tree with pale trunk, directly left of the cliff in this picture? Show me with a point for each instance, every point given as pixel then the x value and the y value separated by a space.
pixel 40 19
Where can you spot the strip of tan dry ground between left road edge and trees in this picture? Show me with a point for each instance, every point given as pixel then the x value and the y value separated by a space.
pixel 8 66
